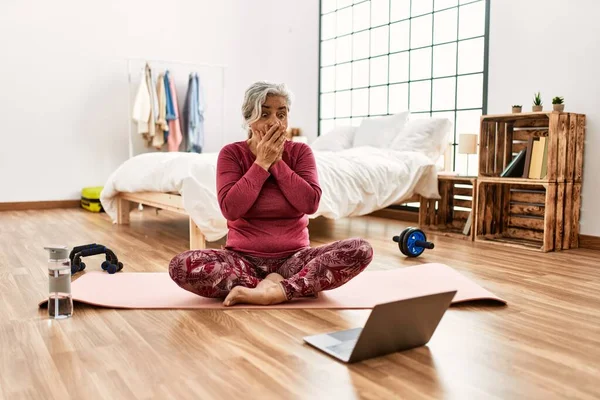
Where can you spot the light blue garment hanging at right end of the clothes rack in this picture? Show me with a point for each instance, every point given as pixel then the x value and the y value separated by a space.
pixel 194 115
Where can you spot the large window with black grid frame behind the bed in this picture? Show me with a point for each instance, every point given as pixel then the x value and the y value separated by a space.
pixel 379 57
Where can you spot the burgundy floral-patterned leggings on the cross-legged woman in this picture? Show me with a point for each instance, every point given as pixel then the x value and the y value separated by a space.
pixel 213 272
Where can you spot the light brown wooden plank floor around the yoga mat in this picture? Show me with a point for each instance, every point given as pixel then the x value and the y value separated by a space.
pixel 544 344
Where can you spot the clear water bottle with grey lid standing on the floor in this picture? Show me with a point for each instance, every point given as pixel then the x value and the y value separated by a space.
pixel 60 300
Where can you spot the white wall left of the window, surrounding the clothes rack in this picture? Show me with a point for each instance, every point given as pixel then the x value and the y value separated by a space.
pixel 63 77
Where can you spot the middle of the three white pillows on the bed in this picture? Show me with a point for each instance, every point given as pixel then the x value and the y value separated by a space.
pixel 380 131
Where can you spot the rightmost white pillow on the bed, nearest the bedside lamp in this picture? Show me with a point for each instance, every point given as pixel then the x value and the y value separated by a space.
pixel 430 136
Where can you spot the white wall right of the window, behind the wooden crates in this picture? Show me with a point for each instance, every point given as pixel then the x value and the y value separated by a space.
pixel 551 46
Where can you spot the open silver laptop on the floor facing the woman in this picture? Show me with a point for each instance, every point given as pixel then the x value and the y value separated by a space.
pixel 391 327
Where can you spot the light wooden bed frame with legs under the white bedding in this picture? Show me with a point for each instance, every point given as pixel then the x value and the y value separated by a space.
pixel 166 201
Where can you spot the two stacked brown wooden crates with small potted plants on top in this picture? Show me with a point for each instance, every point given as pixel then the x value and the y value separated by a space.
pixel 541 214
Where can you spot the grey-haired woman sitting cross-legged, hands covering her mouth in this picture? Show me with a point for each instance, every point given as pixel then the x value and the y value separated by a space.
pixel 267 186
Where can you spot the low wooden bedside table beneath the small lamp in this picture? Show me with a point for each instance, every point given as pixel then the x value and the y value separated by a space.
pixel 453 213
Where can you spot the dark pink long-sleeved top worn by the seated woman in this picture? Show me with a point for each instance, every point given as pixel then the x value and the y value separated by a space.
pixel 267 211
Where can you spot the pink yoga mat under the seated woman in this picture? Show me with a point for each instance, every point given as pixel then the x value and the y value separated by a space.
pixel 155 290
